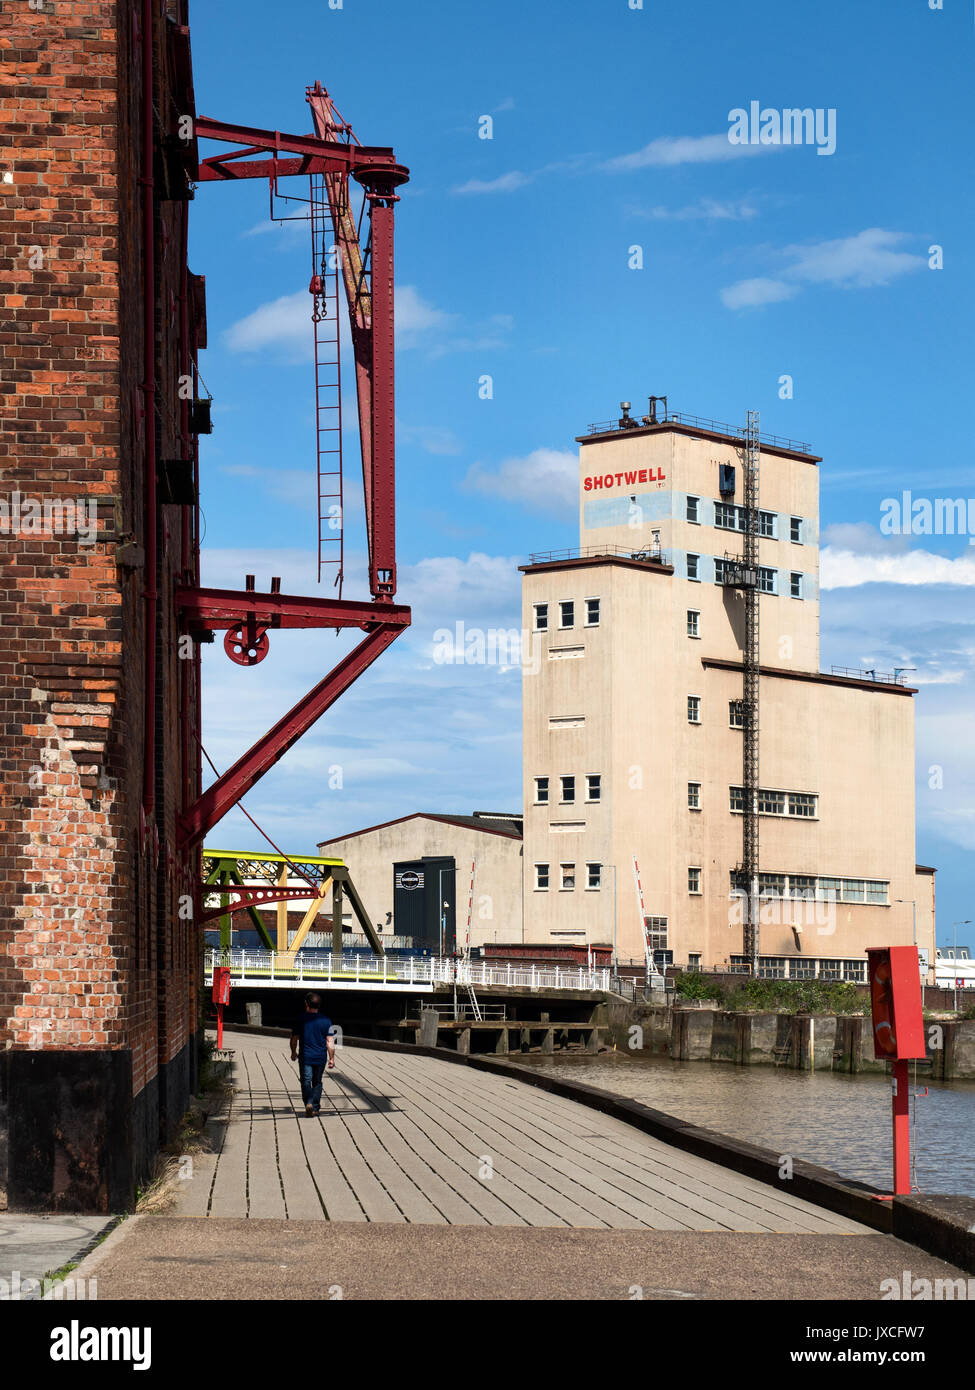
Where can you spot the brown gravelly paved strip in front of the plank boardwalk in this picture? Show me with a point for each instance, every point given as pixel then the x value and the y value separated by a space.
pixel 173 1259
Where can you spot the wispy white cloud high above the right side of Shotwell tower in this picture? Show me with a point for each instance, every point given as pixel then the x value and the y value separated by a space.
pixel 862 262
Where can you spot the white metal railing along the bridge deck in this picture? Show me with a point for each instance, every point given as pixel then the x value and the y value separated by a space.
pixel 365 968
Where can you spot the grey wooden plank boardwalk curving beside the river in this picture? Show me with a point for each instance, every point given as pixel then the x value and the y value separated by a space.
pixel 411 1139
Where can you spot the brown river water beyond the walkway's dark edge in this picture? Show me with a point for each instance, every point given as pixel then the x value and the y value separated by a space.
pixel 839 1121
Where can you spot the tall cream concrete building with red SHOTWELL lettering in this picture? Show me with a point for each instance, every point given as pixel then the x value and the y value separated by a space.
pixel 634 723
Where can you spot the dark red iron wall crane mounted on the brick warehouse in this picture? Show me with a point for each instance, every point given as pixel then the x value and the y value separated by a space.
pixel 330 159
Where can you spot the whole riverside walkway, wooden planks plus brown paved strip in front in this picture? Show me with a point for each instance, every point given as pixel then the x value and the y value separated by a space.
pixel 424 1179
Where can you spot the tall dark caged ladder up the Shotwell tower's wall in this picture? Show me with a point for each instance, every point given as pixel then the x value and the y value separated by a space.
pixel 750 686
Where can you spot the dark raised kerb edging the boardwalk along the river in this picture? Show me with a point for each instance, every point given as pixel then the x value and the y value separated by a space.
pixel 944 1227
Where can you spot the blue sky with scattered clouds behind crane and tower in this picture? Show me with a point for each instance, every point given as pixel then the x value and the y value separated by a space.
pixel 610 131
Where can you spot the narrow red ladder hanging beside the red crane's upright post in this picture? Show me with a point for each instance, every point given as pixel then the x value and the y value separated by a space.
pixel 328 384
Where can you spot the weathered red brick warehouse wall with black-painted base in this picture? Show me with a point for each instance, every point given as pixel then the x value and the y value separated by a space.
pixel 98 970
